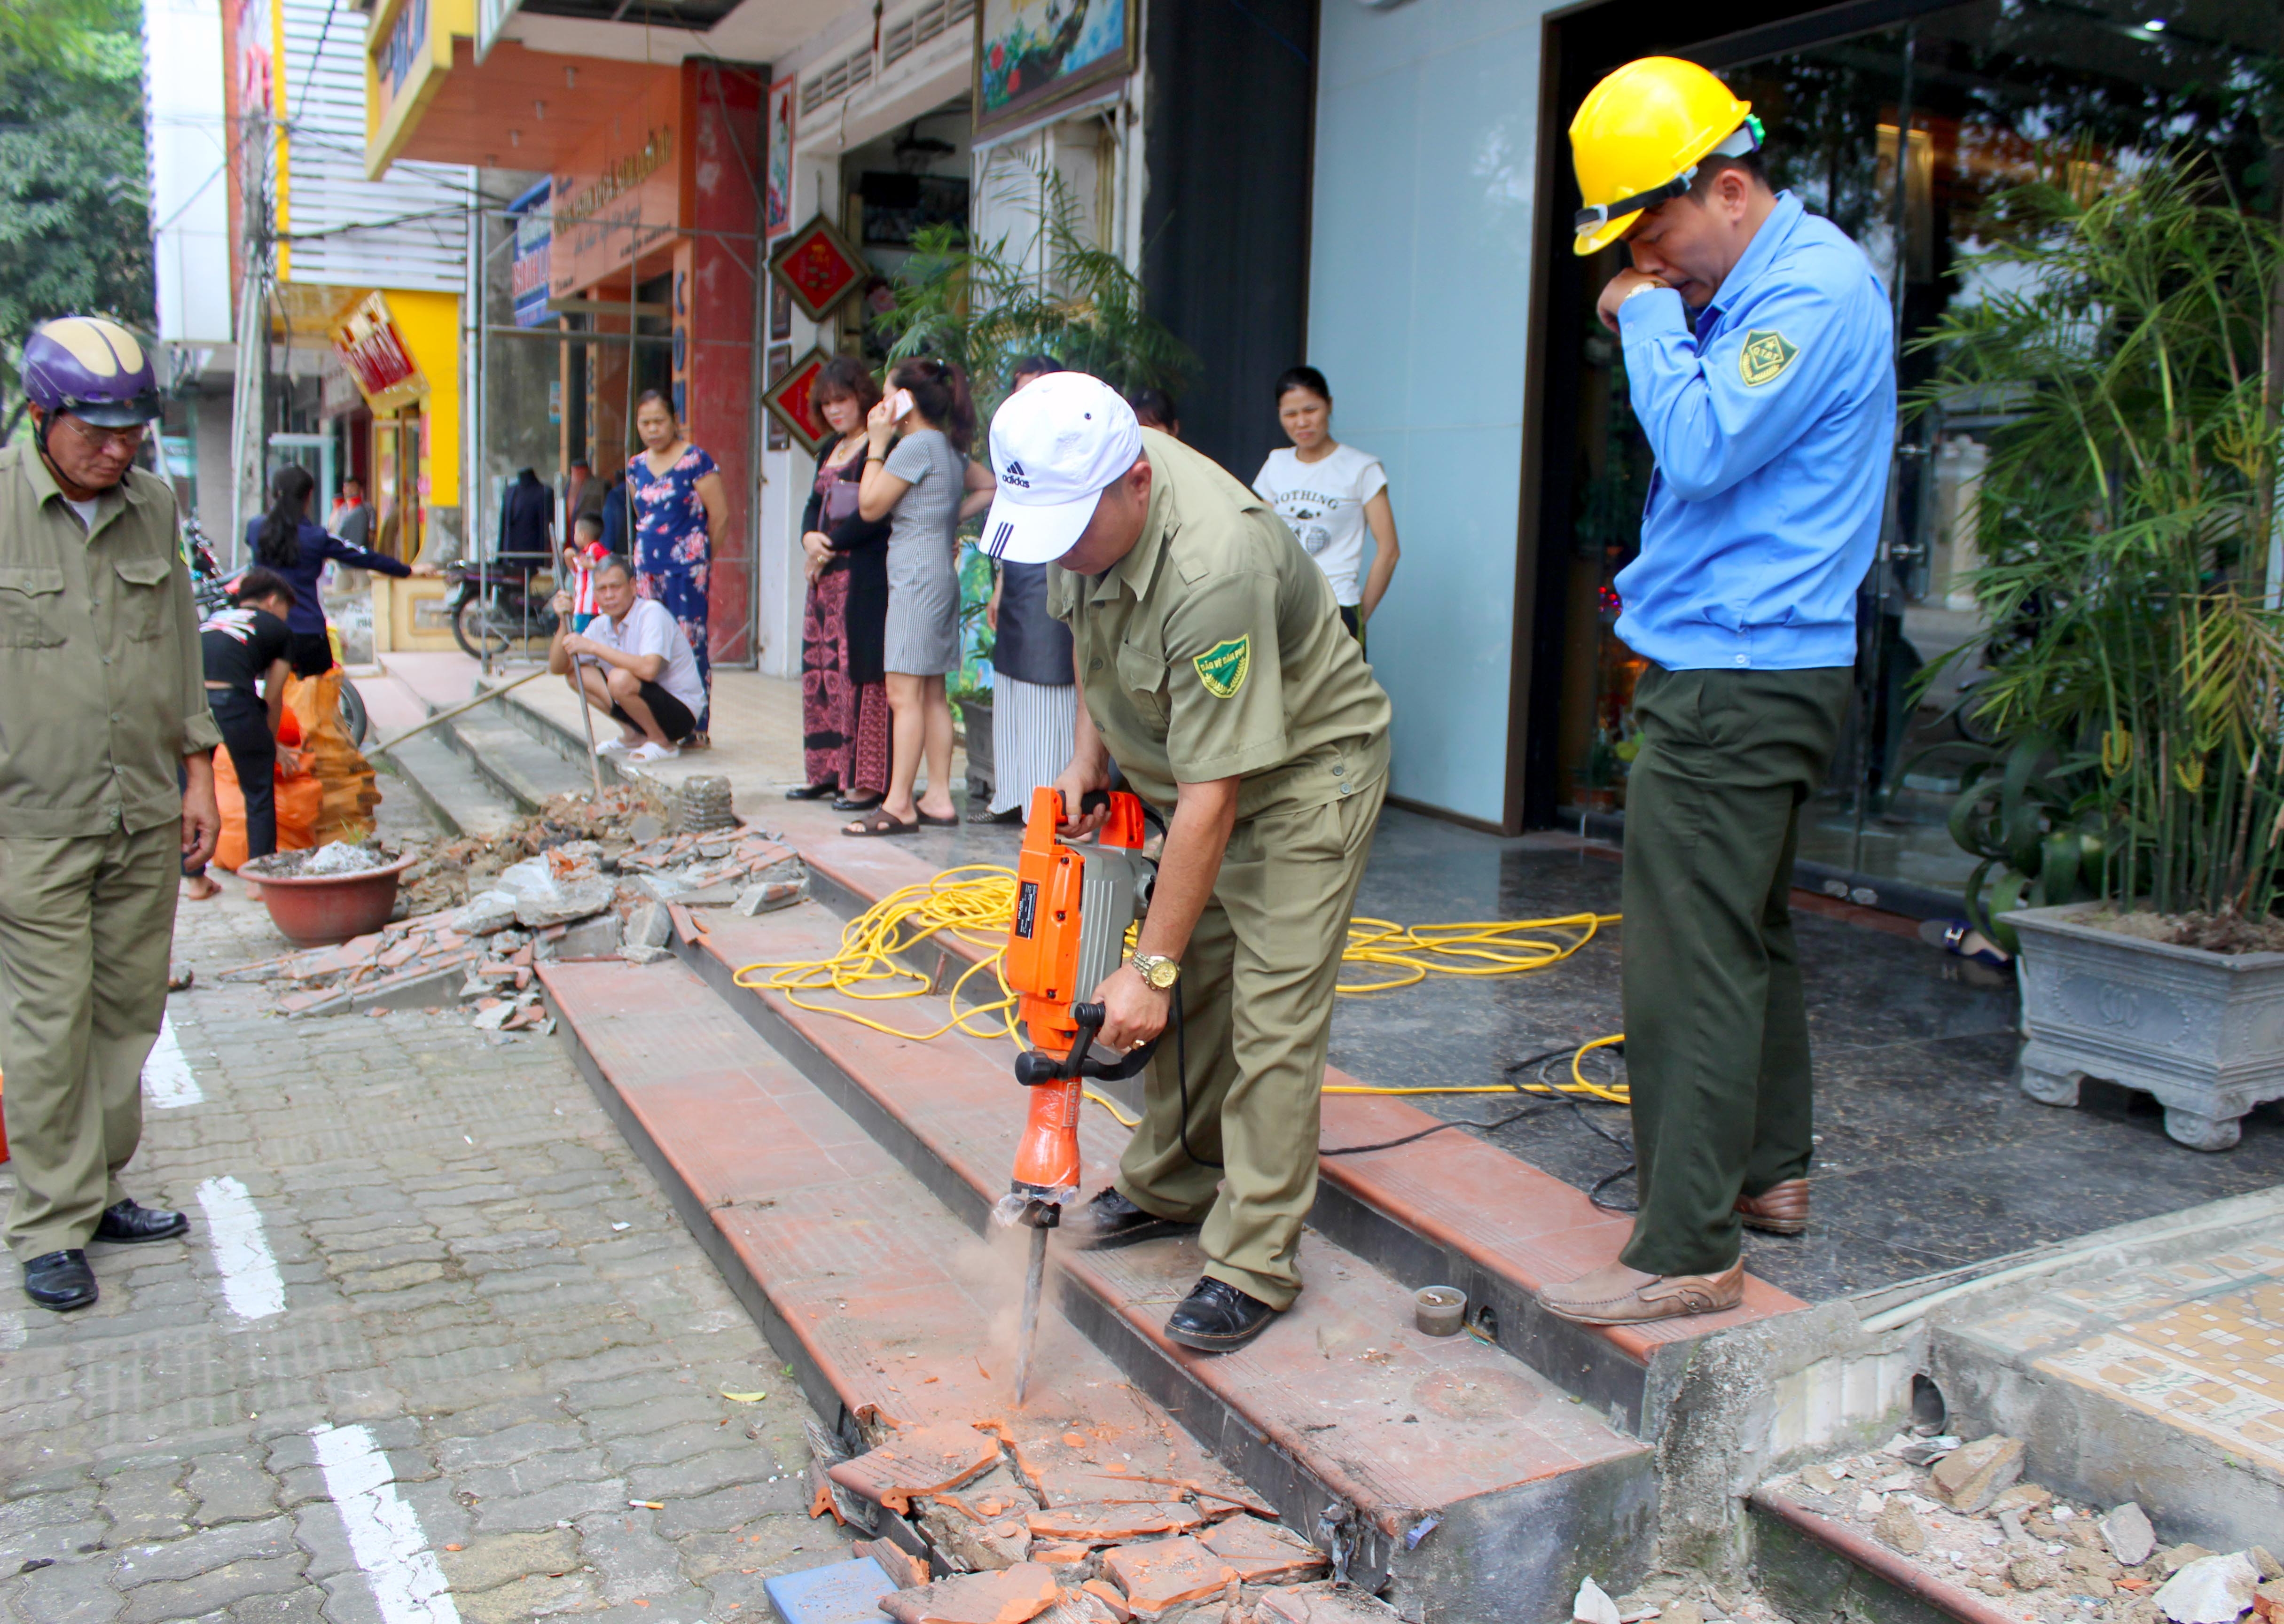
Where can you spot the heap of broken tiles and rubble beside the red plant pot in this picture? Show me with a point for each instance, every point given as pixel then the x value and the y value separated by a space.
pixel 572 901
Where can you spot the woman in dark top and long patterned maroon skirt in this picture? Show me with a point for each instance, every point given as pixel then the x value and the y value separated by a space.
pixel 844 691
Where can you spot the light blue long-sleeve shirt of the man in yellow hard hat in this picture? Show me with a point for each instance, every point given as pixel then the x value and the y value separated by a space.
pixel 1774 421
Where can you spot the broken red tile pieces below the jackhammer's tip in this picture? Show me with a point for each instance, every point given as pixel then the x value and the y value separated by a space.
pixel 1018 1541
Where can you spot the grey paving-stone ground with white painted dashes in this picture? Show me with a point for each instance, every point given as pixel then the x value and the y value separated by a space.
pixel 494 1337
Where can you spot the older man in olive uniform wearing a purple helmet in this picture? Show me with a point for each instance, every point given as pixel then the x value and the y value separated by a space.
pixel 106 721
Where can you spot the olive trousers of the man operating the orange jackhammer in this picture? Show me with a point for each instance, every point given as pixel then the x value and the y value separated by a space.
pixel 1250 1047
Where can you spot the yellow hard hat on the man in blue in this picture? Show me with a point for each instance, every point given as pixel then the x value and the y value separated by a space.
pixel 1641 136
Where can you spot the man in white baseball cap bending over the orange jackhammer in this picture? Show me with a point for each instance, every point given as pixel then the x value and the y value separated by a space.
pixel 1214 668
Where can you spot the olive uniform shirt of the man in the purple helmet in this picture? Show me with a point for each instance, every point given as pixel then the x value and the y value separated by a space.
pixel 99 659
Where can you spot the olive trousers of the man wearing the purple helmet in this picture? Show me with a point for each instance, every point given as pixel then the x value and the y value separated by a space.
pixel 86 931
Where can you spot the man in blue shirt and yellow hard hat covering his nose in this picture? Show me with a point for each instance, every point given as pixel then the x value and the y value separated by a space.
pixel 1762 369
